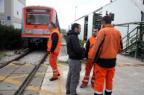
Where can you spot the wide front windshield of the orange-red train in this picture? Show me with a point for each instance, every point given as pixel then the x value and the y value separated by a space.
pixel 38 19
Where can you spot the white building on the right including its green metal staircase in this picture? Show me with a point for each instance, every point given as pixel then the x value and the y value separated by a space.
pixel 128 18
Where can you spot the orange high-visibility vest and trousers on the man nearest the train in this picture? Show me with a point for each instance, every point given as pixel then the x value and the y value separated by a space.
pixel 53 55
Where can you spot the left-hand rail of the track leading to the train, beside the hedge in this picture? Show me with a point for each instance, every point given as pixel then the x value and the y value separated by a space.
pixel 15 59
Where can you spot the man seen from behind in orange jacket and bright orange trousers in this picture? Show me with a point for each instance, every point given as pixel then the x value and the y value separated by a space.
pixel 107 45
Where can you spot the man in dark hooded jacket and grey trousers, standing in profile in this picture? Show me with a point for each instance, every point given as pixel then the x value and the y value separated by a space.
pixel 75 52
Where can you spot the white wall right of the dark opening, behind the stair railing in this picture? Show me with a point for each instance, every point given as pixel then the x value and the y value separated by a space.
pixel 125 11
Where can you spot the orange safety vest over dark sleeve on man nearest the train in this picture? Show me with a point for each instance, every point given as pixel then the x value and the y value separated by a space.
pixel 49 45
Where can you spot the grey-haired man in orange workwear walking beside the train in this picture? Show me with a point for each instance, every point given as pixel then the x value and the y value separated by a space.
pixel 54 46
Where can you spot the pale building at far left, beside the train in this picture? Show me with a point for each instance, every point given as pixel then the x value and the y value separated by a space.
pixel 11 12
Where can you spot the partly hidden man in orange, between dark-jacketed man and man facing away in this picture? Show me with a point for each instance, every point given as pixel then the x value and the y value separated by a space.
pixel 89 63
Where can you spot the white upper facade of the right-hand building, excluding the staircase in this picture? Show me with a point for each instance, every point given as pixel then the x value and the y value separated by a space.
pixel 125 11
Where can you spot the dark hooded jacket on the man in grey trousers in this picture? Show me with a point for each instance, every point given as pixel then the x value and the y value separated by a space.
pixel 74 50
